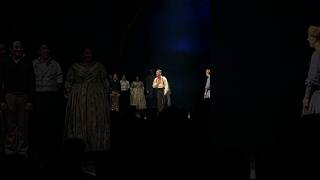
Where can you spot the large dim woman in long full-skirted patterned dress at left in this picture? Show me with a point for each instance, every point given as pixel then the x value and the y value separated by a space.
pixel 87 112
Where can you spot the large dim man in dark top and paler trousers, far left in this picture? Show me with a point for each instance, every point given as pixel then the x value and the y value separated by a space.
pixel 17 78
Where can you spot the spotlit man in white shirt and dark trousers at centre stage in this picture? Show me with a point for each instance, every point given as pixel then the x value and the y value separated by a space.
pixel 160 84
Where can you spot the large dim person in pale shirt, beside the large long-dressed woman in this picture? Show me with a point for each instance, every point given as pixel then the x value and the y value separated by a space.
pixel 49 79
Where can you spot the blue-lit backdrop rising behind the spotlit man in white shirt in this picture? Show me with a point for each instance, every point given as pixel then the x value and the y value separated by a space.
pixel 181 35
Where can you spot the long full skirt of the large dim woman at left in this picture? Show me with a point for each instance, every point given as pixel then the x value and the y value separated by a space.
pixel 88 116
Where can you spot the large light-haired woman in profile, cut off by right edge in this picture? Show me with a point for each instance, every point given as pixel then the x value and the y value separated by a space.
pixel 309 127
